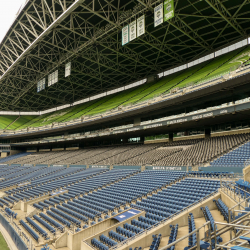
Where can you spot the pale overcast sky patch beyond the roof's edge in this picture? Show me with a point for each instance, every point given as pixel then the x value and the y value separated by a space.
pixel 8 11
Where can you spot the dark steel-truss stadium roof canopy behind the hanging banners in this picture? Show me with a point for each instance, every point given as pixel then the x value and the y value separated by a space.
pixel 49 33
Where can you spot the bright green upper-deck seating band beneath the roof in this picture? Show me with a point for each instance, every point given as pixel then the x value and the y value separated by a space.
pixel 202 72
